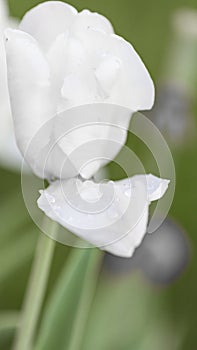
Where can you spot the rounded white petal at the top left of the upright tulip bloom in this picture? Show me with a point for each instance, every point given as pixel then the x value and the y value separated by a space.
pixel 46 21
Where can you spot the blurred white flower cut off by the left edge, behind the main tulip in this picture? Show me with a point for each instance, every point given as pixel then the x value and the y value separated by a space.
pixel 9 153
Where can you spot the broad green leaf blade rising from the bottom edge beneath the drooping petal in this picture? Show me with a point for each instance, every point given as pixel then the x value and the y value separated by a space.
pixel 69 303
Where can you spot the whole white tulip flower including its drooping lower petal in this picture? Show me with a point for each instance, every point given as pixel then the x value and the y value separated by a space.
pixel 73 86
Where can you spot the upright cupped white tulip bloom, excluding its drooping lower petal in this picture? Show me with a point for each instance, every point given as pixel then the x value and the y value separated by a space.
pixel 61 59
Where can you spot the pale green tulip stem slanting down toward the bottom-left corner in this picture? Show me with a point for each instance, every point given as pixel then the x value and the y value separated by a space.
pixel 36 288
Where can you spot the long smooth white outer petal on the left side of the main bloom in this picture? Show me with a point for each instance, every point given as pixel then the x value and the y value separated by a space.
pixel 30 90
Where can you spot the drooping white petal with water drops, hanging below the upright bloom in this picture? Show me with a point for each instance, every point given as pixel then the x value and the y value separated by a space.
pixel 112 216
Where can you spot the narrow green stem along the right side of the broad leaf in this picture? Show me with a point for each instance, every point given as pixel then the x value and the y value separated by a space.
pixel 86 298
